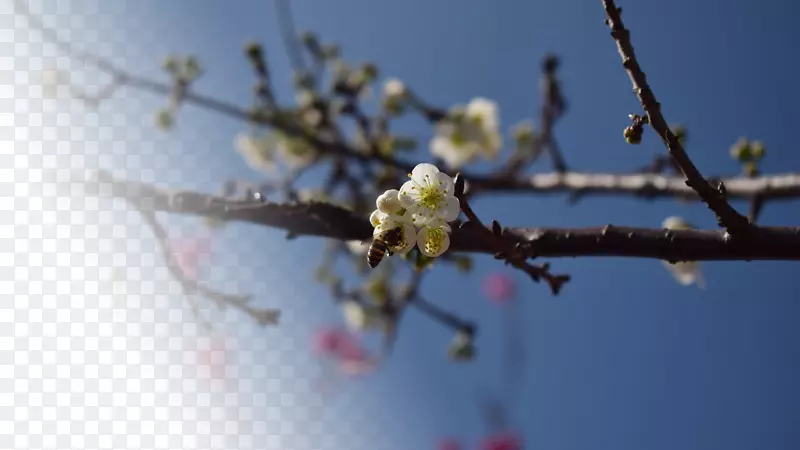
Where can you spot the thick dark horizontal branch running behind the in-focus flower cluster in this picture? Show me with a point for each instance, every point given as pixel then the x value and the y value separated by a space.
pixel 326 220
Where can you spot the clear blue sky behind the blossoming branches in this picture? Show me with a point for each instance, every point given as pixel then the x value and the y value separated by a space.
pixel 625 358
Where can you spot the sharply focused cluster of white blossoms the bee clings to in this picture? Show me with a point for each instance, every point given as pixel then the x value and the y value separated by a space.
pixel 422 209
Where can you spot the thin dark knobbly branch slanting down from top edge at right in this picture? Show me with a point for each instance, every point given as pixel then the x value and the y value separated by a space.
pixel 727 216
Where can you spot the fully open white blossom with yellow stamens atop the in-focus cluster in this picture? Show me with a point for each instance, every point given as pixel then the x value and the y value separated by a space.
pixel 429 195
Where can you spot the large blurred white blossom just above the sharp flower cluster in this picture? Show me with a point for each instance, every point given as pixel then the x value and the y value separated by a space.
pixel 468 133
